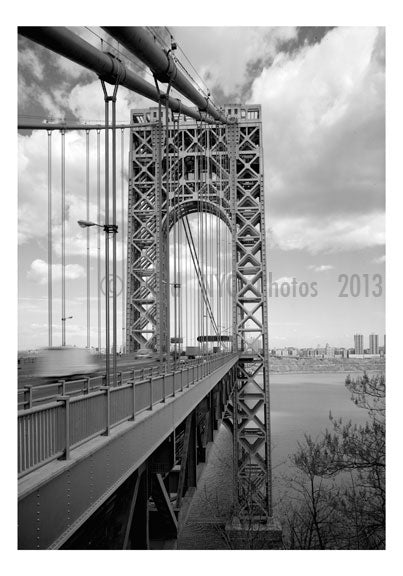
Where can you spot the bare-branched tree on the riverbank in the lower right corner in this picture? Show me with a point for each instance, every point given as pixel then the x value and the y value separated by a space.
pixel 337 497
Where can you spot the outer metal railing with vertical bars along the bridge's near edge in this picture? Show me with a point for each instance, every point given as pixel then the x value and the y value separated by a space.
pixel 50 431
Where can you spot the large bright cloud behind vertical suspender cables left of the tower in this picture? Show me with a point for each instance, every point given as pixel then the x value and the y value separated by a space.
pixel 33 187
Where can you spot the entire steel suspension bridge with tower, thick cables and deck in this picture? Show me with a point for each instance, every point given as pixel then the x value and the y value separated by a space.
pixel 192 295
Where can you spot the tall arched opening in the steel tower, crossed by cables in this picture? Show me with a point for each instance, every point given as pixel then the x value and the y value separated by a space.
pixel 200 265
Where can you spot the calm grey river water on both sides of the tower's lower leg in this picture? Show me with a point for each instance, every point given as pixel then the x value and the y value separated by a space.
pixel 300 403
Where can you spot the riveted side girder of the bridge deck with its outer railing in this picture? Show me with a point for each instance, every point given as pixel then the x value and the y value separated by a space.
pixel 57 497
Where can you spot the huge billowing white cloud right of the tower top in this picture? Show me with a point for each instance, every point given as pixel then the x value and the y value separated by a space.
pixel 323 126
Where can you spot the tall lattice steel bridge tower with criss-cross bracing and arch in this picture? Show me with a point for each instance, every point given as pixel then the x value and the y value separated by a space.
pixel 217 168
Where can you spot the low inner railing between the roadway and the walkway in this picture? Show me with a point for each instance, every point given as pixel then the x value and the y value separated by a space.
pixel 30 395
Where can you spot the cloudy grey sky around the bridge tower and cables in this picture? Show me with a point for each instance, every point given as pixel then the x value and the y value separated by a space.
pixel 322 92
